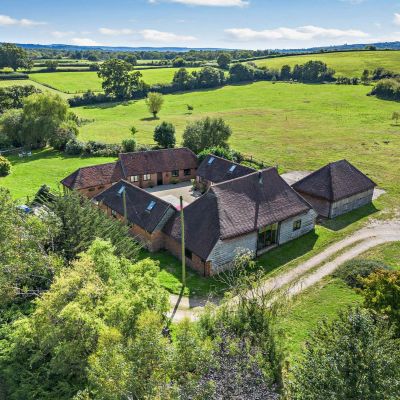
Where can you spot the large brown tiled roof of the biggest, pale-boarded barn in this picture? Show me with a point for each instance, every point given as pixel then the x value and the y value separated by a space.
pixel 235 208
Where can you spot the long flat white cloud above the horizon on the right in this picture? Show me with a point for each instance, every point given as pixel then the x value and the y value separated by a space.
pixel 303 33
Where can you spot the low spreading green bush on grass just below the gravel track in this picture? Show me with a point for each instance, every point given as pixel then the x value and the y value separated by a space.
pixel 354 271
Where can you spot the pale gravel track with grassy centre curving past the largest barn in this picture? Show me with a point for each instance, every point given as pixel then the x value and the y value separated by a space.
pixel 319 266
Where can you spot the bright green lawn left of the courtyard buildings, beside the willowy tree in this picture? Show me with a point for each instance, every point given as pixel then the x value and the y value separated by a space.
pixel 44 167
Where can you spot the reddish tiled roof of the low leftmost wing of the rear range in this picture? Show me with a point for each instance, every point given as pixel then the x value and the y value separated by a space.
pixel 95 175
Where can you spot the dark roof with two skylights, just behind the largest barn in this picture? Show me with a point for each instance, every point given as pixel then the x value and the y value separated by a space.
pixel 216 169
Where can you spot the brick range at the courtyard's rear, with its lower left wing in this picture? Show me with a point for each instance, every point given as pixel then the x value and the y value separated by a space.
pixel 143 169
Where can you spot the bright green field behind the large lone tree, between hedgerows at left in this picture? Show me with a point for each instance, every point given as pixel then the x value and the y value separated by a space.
pixel 79 82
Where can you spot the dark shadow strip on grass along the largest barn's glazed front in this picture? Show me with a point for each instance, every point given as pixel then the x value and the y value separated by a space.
pixel 282 255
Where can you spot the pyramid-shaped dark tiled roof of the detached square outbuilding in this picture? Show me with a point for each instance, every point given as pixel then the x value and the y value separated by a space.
pixel 335 181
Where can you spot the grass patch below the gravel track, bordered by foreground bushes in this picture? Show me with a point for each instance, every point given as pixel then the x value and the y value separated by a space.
pixel 324 300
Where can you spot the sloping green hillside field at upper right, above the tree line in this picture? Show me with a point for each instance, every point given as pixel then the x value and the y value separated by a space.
pixel 351 63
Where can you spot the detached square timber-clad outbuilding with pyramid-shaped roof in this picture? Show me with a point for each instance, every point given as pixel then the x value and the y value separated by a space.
pixel 336 189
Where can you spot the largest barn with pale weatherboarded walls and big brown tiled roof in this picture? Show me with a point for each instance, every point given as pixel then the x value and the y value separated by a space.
pixel 255 212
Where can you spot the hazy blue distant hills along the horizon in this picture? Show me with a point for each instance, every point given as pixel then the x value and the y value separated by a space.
pixel 344 47
